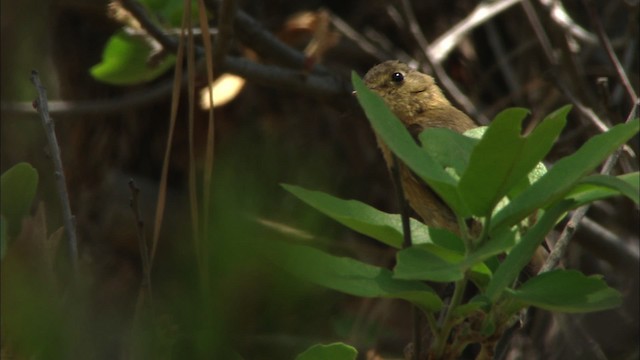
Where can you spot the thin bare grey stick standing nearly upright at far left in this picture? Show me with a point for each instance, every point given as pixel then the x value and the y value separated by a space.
pixel 42 107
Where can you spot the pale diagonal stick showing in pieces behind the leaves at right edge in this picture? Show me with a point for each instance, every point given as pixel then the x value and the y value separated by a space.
pixel 562 244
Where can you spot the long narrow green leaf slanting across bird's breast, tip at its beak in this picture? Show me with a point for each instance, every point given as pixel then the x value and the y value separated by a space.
pixel 397 138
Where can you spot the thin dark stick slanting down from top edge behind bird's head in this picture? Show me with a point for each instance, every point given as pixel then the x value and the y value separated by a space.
pixel 446 81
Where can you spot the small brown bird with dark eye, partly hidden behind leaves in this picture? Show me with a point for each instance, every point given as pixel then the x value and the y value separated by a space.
pixel 419 103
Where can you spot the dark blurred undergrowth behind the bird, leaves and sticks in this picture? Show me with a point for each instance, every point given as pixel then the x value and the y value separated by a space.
pixel 270 135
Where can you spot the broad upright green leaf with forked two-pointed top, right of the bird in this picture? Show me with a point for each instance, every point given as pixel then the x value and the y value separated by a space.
pixel 504 157
